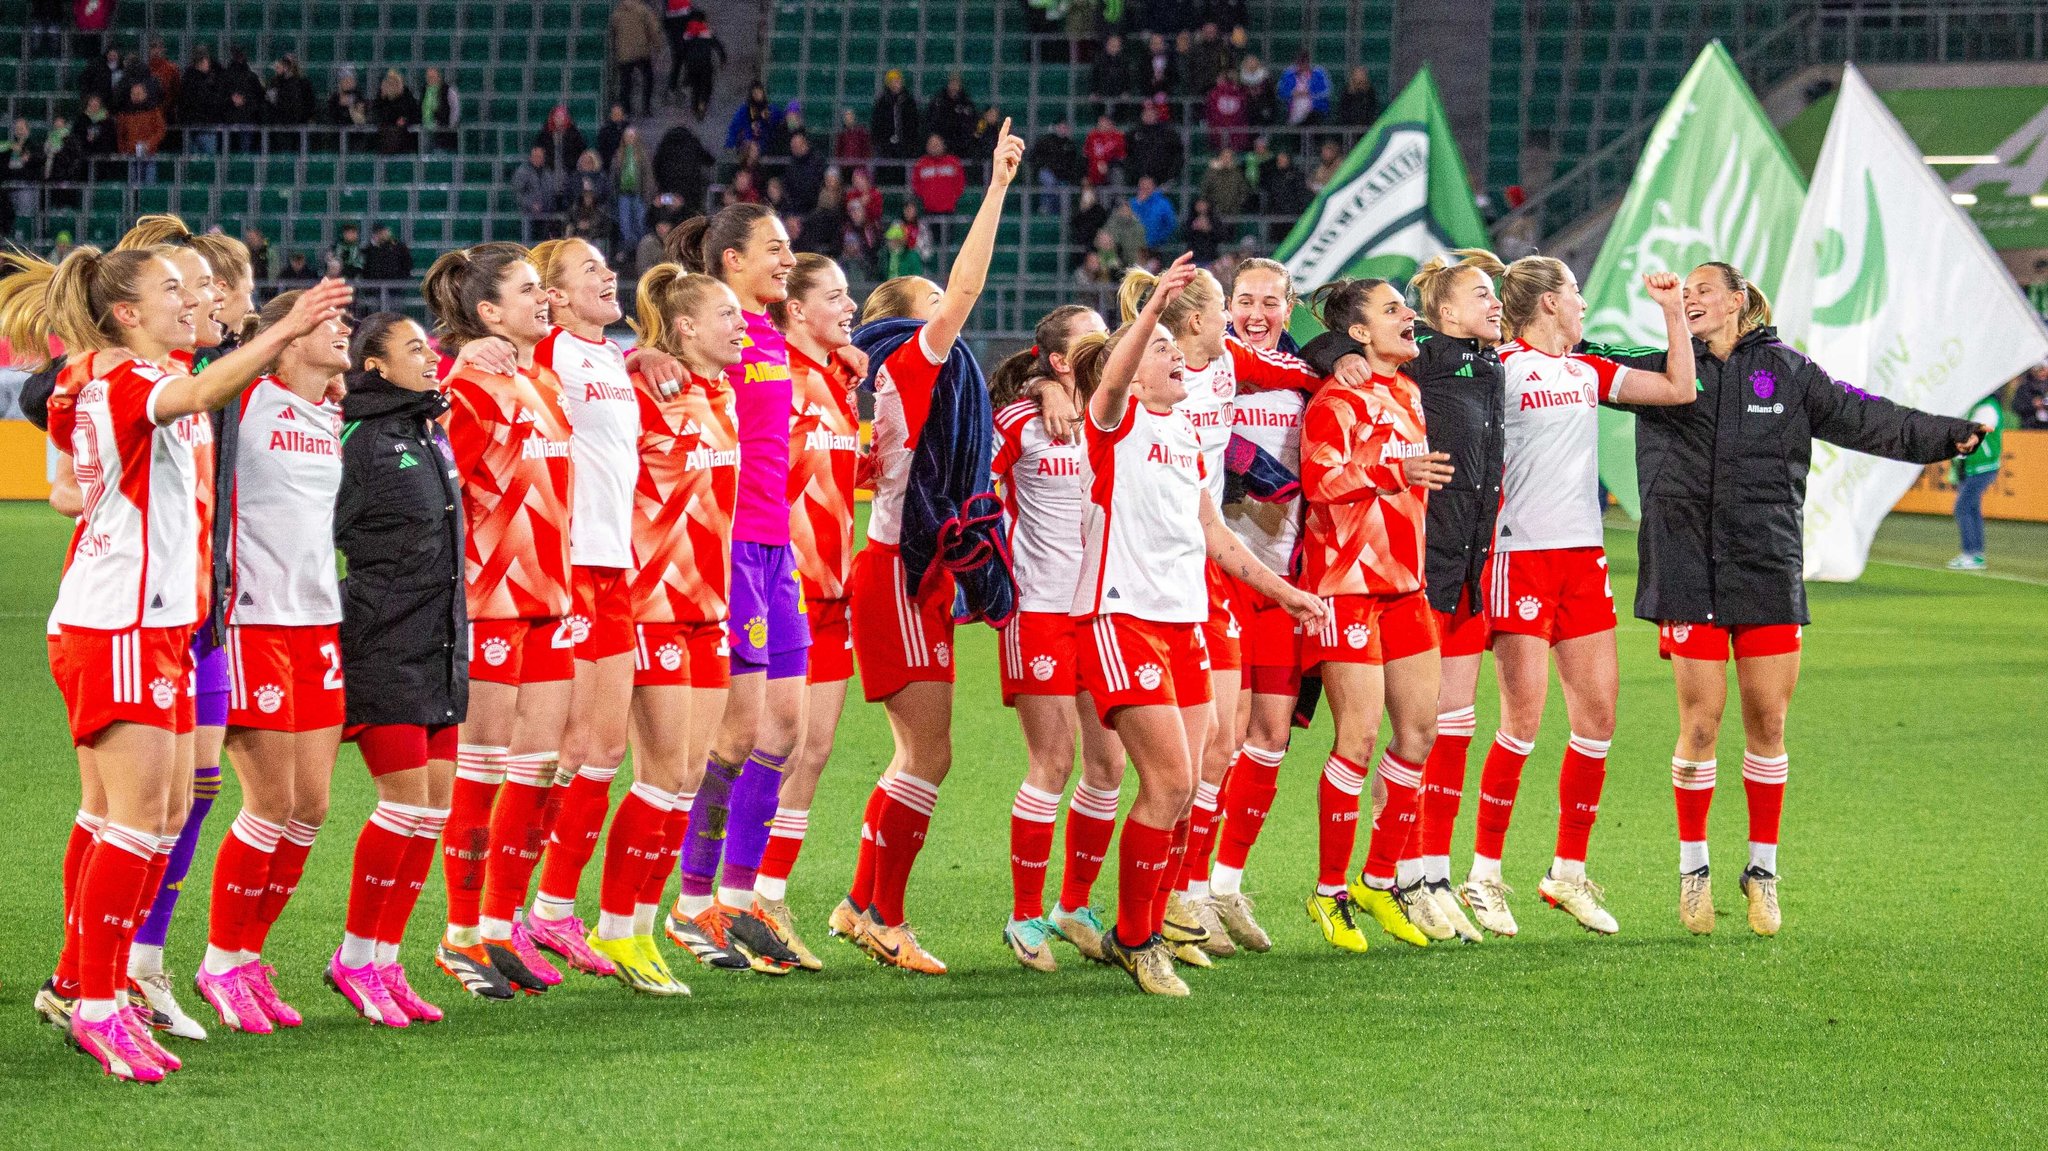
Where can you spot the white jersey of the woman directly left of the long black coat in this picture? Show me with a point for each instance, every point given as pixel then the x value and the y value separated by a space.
pixel 288 472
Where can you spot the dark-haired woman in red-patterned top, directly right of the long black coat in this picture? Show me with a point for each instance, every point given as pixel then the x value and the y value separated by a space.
pixel 511 443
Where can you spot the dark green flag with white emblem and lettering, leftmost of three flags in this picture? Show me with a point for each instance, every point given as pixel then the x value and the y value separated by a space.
pixel 1400 198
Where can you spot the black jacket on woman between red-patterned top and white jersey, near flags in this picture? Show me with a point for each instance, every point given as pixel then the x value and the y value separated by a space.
pixel 1465 409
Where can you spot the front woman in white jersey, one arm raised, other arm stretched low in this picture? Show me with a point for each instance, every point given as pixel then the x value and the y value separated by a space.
pixel 1150 531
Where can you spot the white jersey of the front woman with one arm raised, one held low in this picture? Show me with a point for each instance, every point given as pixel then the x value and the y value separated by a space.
pixel 1142 538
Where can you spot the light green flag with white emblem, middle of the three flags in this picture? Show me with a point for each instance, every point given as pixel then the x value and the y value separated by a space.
pixel 1715 183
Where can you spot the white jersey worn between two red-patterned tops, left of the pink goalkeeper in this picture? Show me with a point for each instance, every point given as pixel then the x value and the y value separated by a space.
pixel 597 396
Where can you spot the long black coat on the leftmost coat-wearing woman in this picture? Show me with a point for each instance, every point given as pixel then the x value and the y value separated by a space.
pixel 398 523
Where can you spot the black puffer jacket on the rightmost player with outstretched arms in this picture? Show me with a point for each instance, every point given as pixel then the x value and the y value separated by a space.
pixel 1725 478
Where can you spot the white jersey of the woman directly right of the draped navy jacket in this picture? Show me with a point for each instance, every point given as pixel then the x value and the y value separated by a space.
pixel 1043 503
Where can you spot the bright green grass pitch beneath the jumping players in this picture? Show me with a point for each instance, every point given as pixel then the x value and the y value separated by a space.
pixel 1902 1009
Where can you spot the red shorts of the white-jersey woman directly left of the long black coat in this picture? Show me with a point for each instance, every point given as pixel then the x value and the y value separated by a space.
pixel 286 679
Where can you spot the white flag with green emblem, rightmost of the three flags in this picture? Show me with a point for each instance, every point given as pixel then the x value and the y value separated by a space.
pixel 1895 292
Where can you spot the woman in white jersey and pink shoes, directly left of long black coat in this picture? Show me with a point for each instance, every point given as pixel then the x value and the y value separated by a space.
pixel 286 699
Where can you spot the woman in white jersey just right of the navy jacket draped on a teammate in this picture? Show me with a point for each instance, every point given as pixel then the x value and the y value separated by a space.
pixel 1041 474
